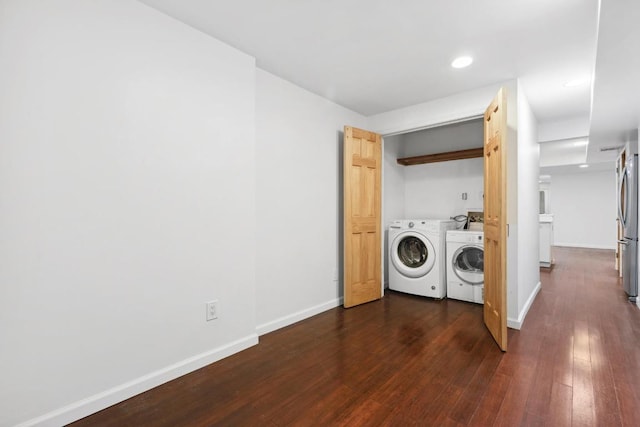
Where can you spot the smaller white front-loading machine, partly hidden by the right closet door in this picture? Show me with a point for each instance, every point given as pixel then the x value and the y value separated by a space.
pixel 465 265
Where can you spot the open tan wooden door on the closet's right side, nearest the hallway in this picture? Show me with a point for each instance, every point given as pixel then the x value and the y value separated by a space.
pixel 495 219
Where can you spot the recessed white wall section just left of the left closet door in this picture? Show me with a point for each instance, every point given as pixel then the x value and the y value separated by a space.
pixel 299 201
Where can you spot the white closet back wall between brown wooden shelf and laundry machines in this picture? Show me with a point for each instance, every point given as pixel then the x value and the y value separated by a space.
pixel 434 190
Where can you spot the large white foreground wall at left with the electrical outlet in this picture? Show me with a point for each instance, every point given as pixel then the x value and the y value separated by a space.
pixel 127 191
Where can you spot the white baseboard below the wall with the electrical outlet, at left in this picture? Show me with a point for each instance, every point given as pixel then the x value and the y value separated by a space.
pixel 100 401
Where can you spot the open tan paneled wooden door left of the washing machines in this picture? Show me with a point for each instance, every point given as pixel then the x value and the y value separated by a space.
pixel 362 237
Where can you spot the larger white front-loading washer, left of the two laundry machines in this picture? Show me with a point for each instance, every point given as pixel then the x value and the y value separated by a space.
pixel 417 263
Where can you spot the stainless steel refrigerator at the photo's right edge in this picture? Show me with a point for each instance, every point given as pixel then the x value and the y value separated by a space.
pixel 628 214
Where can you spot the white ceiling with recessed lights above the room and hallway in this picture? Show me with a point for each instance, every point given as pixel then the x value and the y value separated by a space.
pixel 373 56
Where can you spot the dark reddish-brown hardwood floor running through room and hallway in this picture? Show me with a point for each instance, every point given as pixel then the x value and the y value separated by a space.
pixel 411 361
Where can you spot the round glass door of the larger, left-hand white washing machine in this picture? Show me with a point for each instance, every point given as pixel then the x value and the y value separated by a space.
pixel 412 254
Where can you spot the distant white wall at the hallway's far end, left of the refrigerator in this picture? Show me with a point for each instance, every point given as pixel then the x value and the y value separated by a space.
pixel 585 209
